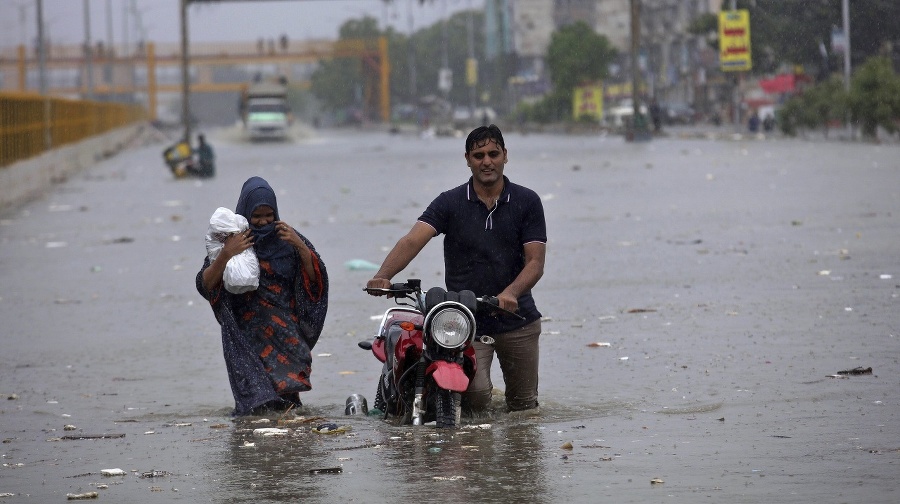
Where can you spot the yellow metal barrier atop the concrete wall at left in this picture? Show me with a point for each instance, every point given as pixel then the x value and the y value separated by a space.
pixel 32 124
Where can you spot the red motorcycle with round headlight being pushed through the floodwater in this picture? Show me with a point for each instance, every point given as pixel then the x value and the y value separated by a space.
pixel 425 345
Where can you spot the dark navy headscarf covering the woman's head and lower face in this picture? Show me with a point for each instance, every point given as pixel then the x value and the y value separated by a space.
pixel 255 193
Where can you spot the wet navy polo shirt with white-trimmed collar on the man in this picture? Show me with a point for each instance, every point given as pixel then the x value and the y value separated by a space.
pixel 483 248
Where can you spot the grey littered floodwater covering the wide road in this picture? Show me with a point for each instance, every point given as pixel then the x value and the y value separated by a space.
pixel 700 298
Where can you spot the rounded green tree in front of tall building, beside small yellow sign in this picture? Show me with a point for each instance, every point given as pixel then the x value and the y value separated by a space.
pixel 577 55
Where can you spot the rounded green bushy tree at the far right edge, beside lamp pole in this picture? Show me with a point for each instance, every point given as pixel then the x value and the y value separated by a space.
pixel 875 97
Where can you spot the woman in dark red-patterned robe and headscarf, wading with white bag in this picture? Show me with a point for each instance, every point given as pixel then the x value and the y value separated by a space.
pixel 268 333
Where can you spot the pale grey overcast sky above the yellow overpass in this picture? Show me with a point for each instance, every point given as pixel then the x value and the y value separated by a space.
pixel 247 20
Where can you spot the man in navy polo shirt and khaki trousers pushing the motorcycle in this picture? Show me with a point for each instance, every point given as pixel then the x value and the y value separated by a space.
pixel 495 239
